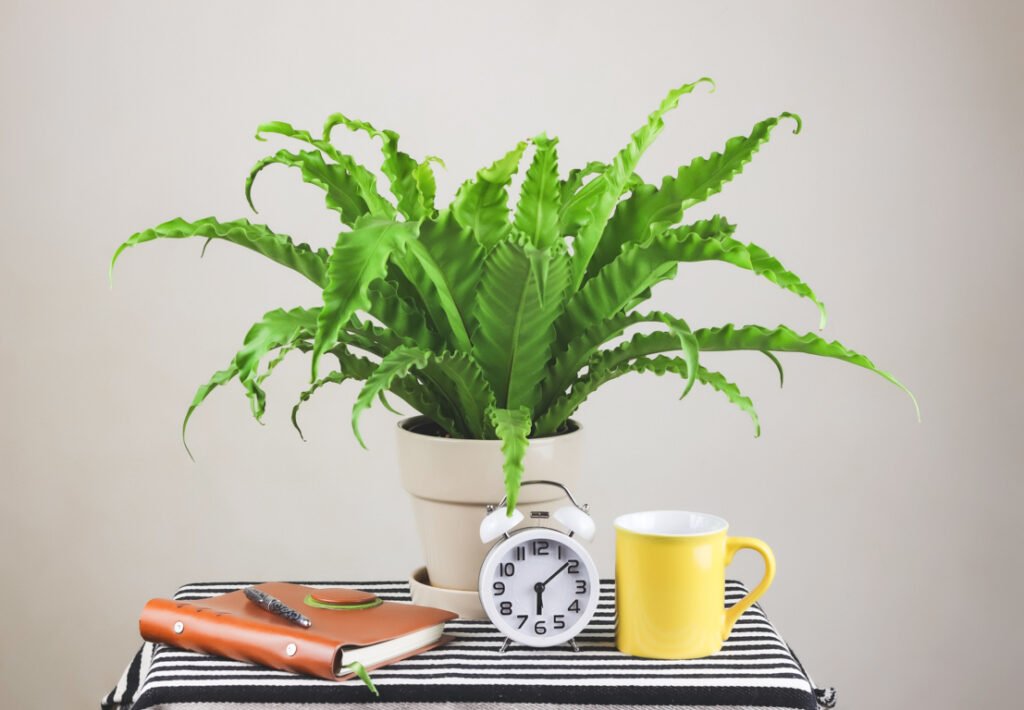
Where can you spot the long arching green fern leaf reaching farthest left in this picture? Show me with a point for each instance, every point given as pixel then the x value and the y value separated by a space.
pixel 280 248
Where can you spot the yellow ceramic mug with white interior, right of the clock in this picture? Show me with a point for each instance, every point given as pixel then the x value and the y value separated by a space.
pixel 670 583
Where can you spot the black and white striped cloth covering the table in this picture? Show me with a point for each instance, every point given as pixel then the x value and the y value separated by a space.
pixel 755 669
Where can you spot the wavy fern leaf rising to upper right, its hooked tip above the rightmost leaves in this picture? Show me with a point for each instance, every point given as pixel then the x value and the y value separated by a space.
pixel 650 211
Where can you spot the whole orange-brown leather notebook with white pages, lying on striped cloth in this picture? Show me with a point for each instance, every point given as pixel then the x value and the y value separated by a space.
pixel 349 627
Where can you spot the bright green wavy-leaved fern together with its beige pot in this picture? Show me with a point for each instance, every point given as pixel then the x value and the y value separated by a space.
pixel 497 322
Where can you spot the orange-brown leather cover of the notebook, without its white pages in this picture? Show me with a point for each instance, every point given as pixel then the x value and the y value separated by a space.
pixel 232 627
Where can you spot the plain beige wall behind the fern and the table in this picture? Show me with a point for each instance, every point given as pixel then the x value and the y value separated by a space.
pixel 899 542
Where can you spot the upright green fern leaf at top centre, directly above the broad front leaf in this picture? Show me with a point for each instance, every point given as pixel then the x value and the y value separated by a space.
pixel 537 214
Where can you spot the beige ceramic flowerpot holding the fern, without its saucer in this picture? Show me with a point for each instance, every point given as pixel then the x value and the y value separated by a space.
pixel 453 481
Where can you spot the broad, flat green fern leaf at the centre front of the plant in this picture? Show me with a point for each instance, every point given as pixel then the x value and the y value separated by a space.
pixel 514 338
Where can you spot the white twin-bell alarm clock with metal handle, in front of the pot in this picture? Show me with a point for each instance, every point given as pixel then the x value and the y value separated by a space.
pixel 538 586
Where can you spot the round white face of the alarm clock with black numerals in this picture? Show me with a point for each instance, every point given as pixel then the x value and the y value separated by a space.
pixel 539 588
